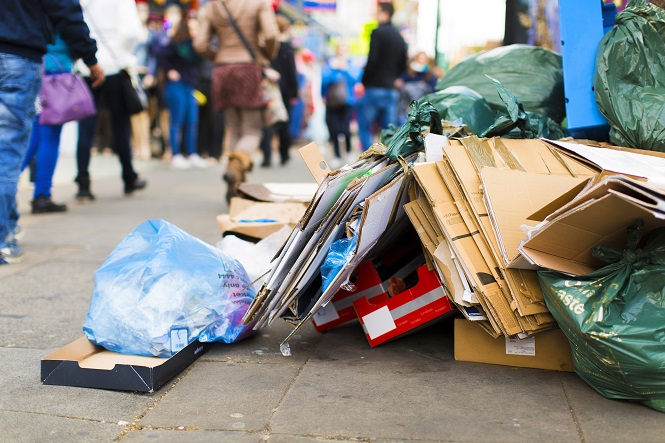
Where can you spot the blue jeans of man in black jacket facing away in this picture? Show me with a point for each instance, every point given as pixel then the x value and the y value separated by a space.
pixel 377 103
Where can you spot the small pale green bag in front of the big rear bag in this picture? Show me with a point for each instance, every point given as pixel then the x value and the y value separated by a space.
pixel 461 103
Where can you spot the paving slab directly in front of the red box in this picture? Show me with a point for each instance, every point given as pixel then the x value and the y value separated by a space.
pixel 413 389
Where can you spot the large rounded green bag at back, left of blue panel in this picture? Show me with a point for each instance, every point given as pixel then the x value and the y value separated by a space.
pixel 535 75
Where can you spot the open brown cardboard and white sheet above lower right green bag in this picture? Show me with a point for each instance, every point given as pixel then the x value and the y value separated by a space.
pixel 630 185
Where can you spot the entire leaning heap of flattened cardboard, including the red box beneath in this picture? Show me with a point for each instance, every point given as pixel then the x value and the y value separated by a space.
pixel 488 213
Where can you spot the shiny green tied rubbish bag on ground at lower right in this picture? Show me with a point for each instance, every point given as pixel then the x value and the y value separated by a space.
pixel 614 319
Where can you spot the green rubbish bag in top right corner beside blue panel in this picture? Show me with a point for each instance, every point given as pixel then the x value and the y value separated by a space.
pixel 629 81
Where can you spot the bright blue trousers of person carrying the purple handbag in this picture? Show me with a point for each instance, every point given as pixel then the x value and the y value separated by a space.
pixel 45 145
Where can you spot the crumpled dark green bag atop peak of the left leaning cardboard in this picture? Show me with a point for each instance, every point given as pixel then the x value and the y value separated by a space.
pixel 409 138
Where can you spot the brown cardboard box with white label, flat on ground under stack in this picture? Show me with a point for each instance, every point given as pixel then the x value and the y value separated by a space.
pixel 545 350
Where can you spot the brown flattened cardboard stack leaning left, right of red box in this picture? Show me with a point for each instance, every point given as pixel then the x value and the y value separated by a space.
pixel 477 199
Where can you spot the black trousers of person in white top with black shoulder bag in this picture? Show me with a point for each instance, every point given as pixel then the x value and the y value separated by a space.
pixel 109 94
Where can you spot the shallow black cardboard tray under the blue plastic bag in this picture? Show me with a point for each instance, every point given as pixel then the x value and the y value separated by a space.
pixel 86 365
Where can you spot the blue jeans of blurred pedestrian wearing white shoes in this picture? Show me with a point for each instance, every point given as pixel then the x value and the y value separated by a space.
pixel 184 116
